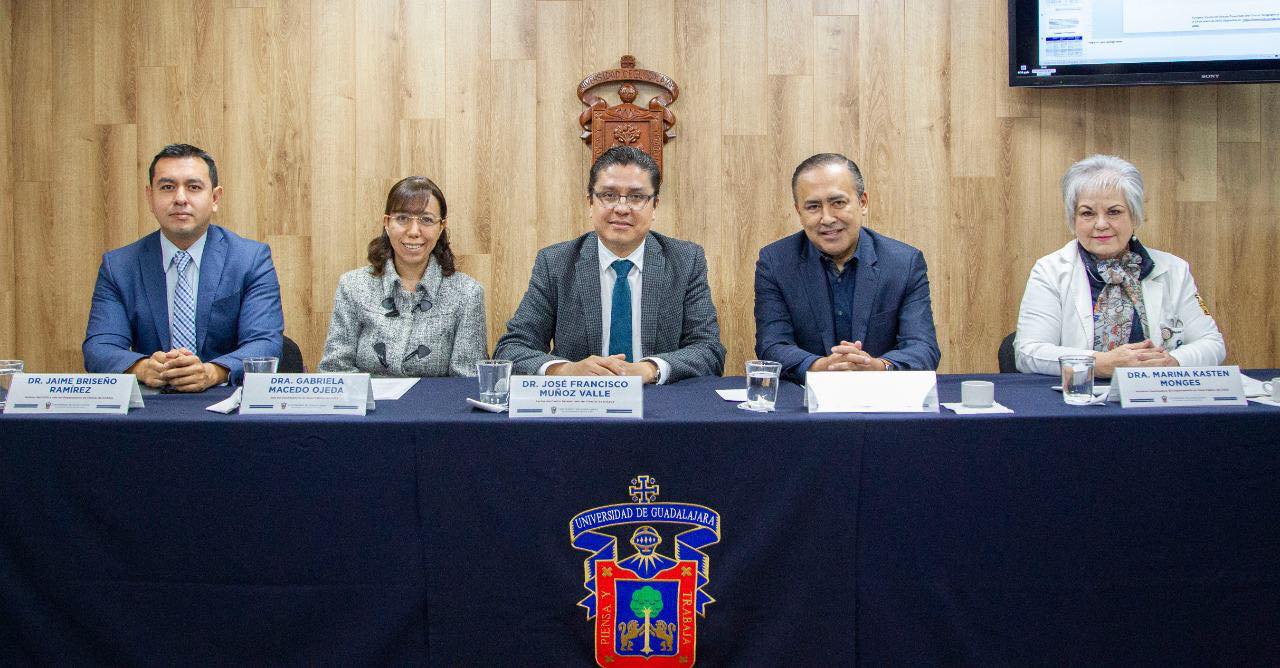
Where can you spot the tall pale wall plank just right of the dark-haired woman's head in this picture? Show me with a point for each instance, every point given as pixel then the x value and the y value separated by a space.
pixel 469 179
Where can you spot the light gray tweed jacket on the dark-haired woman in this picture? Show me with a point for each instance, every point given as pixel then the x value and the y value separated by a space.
pixel 437 331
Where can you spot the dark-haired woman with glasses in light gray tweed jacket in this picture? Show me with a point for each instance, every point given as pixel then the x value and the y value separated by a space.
pixel 409 313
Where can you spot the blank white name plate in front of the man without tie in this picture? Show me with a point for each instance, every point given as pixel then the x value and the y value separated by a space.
pixel 893 392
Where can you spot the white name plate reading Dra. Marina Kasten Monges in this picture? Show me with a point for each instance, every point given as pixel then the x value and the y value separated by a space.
pixel 1180 386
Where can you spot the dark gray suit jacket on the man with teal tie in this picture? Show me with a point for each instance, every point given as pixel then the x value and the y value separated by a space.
pixel 563 305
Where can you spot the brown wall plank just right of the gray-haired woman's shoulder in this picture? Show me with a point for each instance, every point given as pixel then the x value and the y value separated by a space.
pixel 1246 257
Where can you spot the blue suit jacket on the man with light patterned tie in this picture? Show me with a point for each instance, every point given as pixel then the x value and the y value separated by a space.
pixel 237 312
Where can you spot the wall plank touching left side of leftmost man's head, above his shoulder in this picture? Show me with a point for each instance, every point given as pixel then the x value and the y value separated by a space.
pixel 122 187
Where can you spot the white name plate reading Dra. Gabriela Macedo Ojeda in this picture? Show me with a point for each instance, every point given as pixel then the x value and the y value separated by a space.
pixel 307 395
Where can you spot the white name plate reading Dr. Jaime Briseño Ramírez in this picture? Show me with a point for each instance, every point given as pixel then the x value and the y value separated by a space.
pixel 74 394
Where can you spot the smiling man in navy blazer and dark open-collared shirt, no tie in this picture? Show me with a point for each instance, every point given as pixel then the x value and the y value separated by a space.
pixel 838 296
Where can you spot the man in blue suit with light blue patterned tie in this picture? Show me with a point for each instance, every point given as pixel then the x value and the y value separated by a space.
pixel 184 306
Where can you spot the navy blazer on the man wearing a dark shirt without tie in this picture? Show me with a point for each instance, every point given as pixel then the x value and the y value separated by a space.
pixel 893 314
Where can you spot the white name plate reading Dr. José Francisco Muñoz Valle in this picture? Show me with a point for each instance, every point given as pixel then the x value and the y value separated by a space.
pixel 577 397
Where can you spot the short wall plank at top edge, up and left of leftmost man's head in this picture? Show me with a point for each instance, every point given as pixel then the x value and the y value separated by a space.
pixel 115 61
